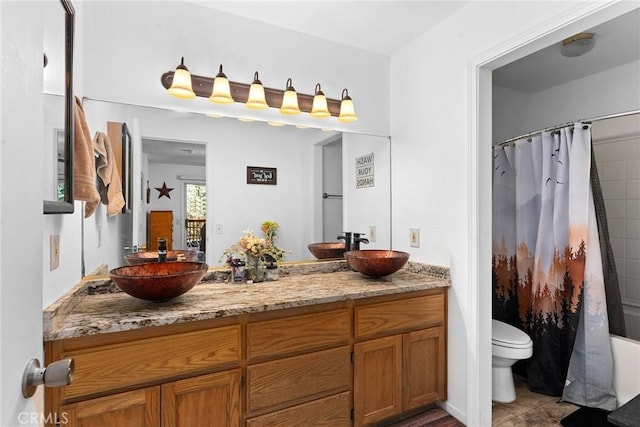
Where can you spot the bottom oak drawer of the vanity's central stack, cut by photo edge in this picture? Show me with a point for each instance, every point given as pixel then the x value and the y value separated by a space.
pixel 332 411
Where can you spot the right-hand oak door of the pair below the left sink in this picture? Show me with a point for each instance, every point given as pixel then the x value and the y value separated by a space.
pixel 207 400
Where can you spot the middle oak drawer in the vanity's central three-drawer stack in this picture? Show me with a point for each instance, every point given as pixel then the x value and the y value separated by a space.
pixel 298 379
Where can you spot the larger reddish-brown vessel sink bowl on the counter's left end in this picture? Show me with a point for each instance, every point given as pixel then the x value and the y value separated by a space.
pixel 158 281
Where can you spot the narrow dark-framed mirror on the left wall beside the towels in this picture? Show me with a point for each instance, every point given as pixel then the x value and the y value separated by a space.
pixel 58 67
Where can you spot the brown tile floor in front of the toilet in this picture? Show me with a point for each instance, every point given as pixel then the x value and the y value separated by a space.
pixel 530 409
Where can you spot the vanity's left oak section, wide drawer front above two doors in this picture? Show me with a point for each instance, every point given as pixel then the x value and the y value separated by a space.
pixel 134 379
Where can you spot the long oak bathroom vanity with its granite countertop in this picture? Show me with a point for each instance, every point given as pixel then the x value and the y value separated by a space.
pixel 322 346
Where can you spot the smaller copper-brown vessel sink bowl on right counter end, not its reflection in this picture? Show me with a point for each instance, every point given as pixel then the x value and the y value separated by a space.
pixel 376 262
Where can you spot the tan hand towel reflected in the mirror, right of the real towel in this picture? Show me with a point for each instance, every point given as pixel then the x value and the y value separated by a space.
pixel 109 182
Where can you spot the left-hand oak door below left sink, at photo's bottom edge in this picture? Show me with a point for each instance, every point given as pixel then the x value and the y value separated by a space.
pixel 136 408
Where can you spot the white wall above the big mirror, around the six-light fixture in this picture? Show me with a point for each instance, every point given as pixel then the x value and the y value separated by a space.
pixel 122 39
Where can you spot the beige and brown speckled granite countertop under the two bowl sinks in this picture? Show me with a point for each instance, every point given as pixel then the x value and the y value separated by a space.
pixel 97 306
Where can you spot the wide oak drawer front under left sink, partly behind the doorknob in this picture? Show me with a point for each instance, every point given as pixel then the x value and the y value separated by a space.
pixel 118 366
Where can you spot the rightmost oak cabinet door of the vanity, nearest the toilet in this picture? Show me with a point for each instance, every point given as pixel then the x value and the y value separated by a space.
pixel 424 367
